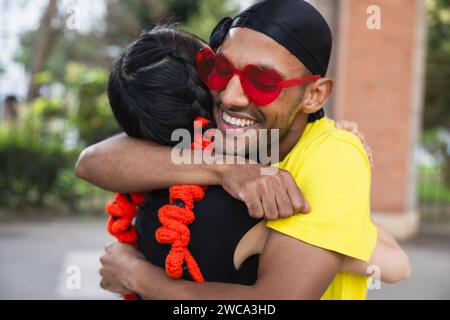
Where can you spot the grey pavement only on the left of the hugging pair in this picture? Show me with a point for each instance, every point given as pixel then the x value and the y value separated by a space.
pixel 37 260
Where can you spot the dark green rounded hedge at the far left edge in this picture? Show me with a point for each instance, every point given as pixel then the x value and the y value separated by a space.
pixel 29 165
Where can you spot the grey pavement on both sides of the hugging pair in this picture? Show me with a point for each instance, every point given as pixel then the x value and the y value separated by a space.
pixel 38 260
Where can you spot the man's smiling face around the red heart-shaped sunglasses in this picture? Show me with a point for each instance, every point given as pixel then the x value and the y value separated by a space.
pixel 232 108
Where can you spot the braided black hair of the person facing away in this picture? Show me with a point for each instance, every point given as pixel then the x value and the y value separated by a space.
pixel 154 87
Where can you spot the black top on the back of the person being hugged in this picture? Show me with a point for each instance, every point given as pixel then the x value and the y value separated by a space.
pixel 220 223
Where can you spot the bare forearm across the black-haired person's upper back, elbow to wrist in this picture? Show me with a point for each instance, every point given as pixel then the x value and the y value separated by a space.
pixel 123 164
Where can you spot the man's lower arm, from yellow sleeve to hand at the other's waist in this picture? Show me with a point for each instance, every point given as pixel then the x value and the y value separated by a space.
pixel 288 269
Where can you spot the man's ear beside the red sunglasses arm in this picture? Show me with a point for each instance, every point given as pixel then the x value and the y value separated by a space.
pixel 316 95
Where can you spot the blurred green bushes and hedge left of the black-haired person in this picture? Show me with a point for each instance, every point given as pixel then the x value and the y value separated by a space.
pixel 36 163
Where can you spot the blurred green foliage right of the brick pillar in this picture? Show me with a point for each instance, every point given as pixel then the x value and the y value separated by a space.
pixel 436 113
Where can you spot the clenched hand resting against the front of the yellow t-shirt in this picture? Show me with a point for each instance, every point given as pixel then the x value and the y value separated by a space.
pixel 266 196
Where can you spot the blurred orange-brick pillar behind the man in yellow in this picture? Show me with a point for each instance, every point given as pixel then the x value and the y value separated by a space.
pixel 378 66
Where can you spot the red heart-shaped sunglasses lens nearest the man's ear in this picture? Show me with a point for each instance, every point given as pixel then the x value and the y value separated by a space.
pixel 261 85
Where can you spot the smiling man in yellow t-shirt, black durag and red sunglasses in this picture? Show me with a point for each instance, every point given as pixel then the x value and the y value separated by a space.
pixel 303 253
